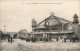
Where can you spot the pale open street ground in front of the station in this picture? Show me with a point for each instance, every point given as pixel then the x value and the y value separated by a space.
pixel 22 45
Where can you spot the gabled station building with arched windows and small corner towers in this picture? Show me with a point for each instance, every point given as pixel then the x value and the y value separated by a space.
pixel 54 27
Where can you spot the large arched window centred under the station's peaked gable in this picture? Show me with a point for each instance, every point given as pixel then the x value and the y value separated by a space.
pixel 54 24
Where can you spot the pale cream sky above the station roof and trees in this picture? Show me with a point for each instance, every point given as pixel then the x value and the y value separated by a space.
pixel 18 14
